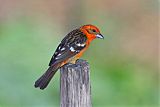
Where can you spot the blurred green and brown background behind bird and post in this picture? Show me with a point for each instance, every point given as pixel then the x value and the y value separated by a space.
pixel 124 66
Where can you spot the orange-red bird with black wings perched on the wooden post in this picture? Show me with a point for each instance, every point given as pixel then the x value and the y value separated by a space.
pixel 71 48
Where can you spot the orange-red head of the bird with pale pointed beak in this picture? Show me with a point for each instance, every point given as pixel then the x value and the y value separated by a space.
pixel 91 32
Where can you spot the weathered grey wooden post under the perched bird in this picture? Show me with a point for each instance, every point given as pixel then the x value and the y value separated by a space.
pixel 75 86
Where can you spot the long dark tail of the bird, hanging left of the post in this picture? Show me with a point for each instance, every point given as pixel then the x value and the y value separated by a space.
pixel 44 80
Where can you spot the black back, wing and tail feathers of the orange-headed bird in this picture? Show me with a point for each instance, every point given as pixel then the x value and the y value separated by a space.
pixel 62 53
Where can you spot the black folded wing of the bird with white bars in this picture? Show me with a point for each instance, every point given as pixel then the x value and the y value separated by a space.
pixel 72 44
